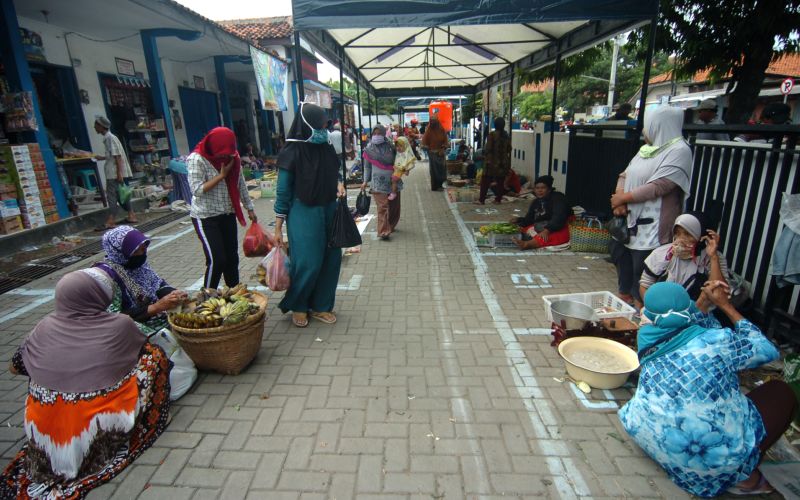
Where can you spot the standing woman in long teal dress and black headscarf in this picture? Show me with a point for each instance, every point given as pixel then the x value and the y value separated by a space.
pixel 308 174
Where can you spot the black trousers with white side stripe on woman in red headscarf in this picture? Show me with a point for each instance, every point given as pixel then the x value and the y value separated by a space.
pixel 218 235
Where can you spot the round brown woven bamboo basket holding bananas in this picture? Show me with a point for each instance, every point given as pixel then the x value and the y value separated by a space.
pixel 225 349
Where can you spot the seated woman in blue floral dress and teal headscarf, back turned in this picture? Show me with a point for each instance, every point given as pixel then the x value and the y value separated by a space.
pixel 688 413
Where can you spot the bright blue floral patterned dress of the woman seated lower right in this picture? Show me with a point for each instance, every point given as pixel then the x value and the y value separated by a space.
pixel 689 415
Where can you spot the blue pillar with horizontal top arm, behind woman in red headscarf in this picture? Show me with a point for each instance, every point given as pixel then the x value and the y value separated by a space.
pixel 154 71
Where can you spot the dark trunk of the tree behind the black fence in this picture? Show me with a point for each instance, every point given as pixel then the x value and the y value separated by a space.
pixel 756 58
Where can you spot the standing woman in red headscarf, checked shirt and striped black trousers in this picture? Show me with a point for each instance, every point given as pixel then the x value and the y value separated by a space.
pixel 217 183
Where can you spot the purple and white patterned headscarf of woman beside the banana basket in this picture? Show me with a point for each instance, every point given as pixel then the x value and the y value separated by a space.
pixel 139 285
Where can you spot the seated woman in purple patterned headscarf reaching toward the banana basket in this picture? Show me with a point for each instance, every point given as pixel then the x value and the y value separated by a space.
pixel 141 293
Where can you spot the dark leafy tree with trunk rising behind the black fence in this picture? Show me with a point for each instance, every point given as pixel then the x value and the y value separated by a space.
pixel 730 37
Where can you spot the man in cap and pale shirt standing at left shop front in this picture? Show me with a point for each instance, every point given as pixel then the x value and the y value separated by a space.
pixel 117 169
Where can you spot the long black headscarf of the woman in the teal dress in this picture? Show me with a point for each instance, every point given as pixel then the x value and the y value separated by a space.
pixel 314 163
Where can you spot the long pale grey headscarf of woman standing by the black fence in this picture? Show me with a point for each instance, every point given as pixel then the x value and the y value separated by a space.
pixel 667 157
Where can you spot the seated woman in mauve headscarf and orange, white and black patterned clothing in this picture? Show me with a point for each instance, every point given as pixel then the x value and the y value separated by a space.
pixel 98 394
